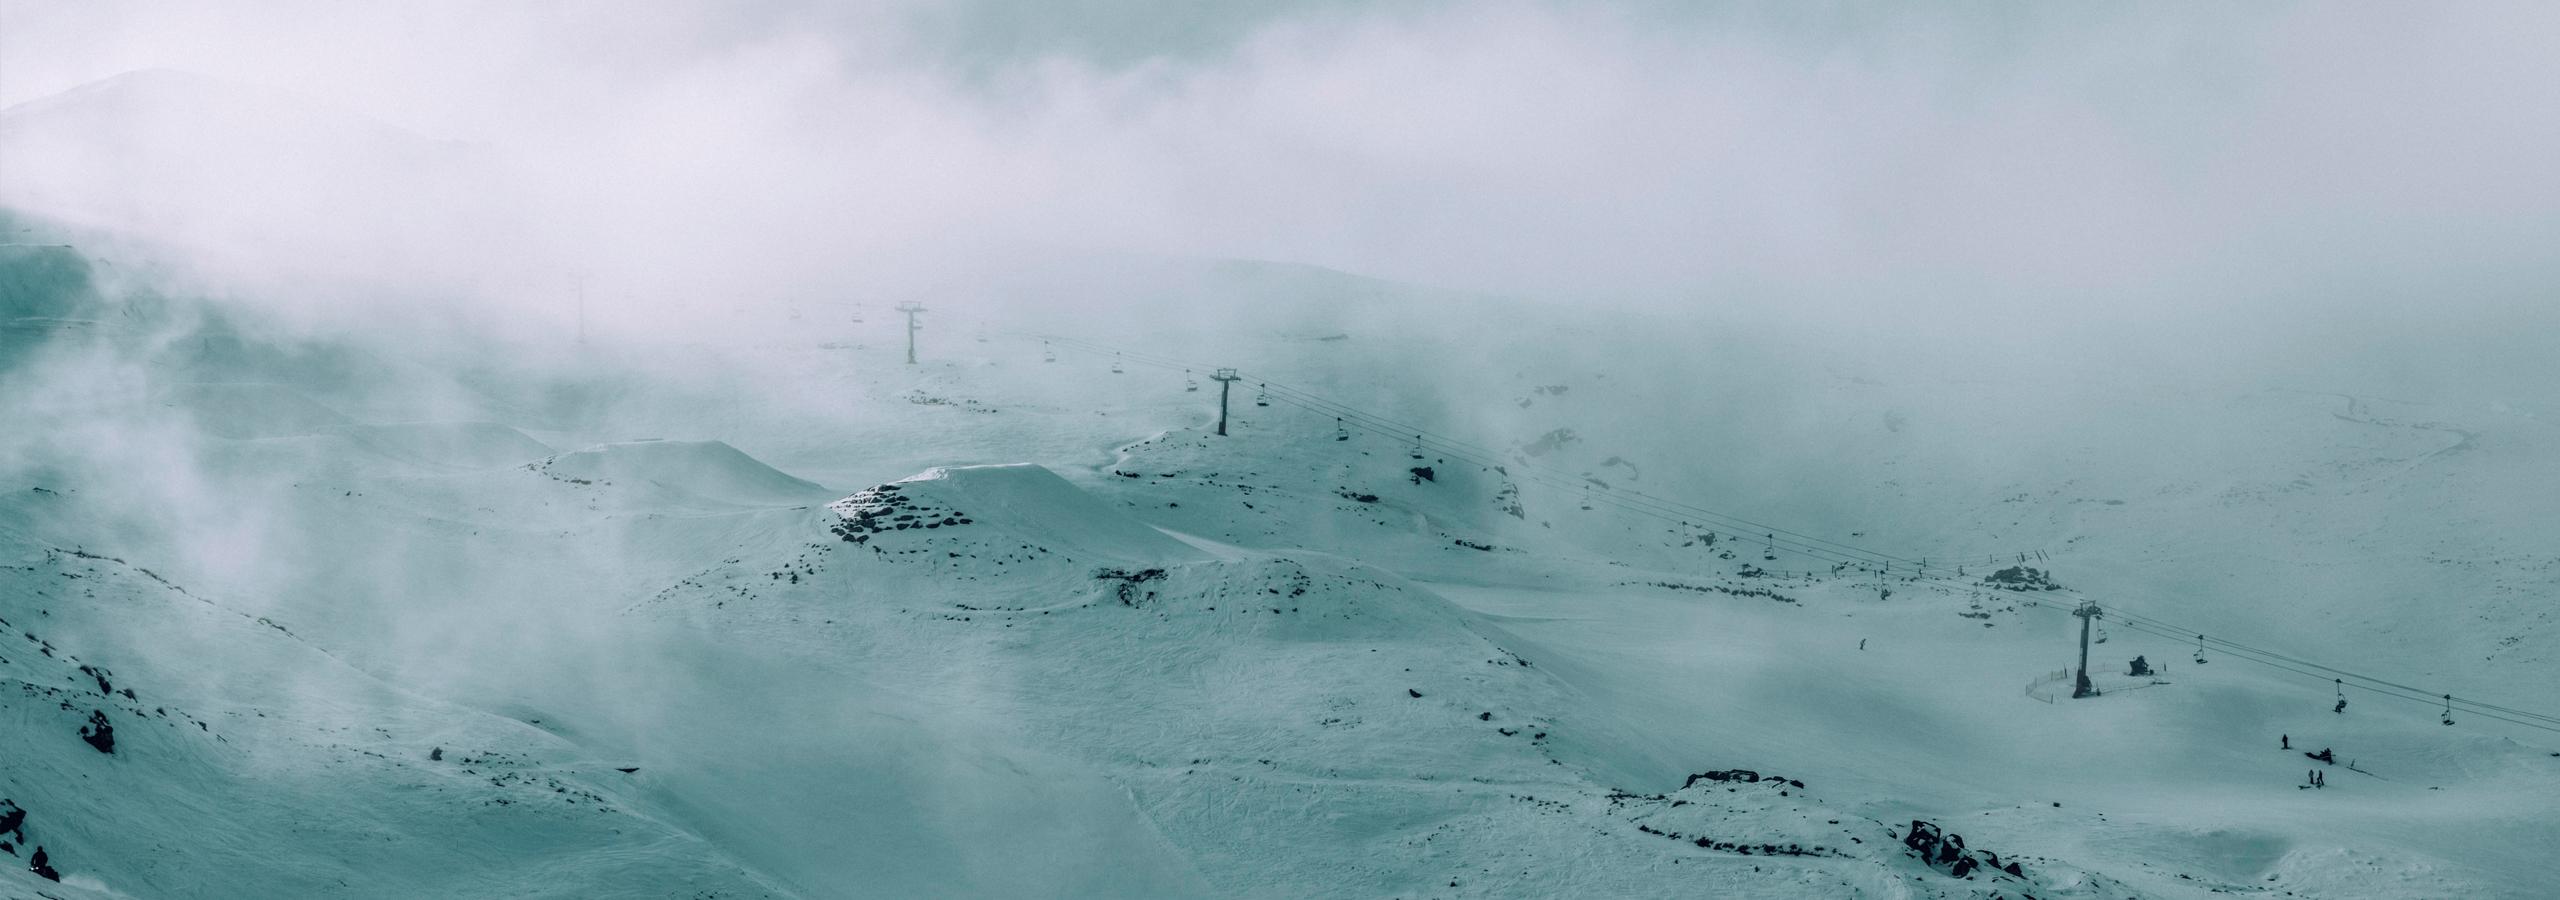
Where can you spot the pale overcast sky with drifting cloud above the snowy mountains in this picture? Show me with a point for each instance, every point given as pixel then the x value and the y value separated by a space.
pixel 1865 155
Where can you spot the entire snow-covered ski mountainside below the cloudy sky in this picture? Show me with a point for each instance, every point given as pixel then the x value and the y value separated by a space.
pixel 1074 643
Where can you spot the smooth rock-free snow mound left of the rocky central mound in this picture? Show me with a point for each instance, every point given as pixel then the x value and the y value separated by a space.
pixel 690 467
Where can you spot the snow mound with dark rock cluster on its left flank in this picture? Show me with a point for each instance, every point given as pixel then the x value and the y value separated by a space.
pixel 1025 502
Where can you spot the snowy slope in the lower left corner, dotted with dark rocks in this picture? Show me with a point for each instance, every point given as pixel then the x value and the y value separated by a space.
pixel 168 745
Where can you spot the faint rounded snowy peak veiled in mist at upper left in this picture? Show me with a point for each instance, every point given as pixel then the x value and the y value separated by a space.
pixel 247 178
